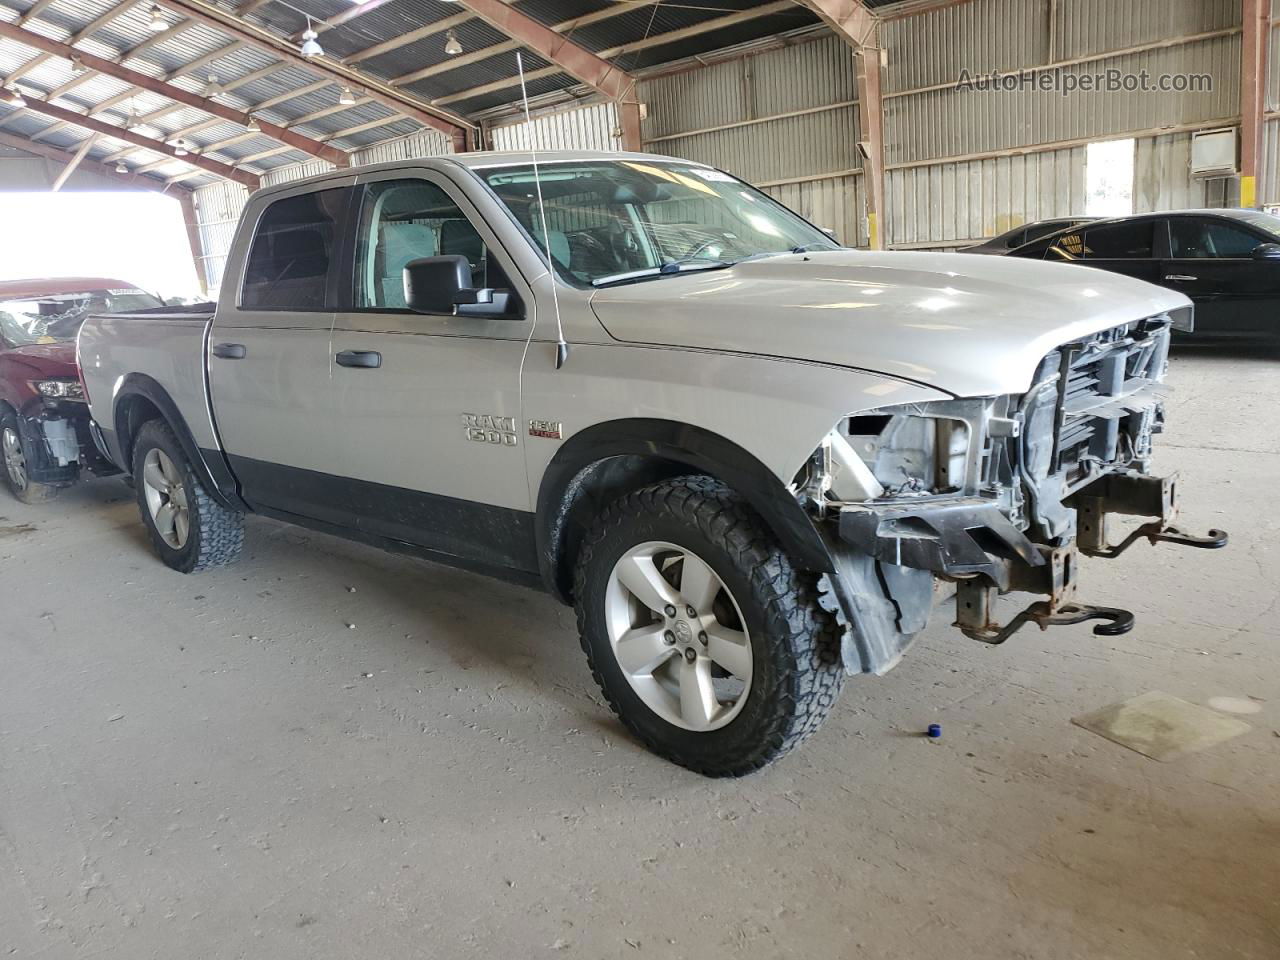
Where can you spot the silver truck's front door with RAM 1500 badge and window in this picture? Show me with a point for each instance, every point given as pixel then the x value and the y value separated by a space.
pixel 426 409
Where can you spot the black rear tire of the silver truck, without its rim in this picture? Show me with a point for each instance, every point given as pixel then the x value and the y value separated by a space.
pixel 216 536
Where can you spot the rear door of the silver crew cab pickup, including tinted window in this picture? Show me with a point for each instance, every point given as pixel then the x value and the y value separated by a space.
pixel 269 358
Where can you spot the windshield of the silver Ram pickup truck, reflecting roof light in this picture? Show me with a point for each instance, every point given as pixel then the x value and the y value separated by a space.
pixel 616 222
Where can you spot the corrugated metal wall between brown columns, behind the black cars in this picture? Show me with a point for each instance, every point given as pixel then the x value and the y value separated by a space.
pixel 956 168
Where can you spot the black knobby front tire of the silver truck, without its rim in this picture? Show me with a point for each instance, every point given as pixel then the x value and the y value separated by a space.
pixel 797 674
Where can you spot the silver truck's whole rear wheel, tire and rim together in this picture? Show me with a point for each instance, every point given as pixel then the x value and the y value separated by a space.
pixel 189 529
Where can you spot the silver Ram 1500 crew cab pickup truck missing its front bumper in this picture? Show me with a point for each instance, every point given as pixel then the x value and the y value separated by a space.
pixel 755 461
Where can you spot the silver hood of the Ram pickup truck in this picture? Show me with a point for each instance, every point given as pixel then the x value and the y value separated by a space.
pixel 963 324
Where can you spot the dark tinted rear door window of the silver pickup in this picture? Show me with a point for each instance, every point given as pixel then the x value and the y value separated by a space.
pixel 294 248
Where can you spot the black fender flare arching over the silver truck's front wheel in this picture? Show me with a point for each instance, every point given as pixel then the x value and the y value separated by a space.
pixel 683 445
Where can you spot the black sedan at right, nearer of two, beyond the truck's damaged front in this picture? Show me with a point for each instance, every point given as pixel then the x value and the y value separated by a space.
pixel 1228 262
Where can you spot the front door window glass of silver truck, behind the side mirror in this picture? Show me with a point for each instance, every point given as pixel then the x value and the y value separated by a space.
pixel 404 221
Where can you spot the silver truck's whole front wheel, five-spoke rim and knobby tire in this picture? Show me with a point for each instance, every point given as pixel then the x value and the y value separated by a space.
pixel 710 646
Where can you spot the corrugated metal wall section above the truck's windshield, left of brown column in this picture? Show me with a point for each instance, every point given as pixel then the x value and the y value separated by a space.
pixel 785 120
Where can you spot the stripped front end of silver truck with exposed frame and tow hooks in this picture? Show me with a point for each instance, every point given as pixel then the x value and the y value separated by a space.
pixel 995 496
